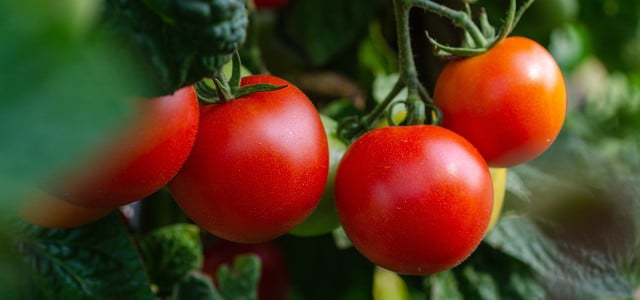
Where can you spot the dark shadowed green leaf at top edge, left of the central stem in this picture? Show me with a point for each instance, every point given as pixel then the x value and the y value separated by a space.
pixel 322 29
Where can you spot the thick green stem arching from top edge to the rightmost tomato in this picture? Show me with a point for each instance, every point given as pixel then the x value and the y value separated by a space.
pixel 459 18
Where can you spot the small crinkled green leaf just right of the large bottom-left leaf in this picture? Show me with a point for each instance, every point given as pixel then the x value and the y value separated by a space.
pixel 170 252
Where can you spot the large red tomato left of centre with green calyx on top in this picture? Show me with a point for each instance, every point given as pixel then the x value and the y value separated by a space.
pixel 258 167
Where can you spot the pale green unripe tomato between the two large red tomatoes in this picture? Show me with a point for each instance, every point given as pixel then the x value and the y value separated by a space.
pixel 324 218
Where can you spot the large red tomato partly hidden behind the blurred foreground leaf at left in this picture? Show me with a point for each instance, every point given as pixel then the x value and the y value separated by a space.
pixel 141 159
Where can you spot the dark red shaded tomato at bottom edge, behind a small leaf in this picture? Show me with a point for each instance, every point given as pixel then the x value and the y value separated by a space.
pixel 273 283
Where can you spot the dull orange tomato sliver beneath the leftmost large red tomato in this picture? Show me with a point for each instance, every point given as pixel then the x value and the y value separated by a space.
pixel 49 211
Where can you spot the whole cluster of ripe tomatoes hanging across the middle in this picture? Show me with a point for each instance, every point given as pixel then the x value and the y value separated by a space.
pixel 413 199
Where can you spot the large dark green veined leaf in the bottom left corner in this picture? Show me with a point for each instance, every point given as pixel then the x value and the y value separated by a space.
pixel 97 261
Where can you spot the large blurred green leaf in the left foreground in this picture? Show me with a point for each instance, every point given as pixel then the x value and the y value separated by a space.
pixel 62 96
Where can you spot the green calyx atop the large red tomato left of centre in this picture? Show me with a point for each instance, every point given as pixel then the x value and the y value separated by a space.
pixel 219 89
